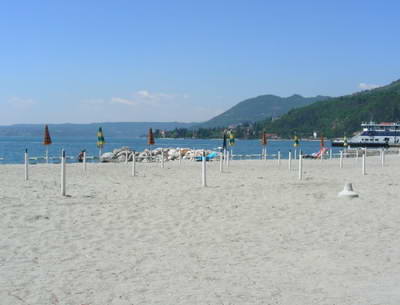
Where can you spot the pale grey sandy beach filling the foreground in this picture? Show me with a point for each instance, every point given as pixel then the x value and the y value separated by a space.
pixel 255 235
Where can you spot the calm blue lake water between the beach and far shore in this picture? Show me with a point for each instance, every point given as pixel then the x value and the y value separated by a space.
pixel 12 148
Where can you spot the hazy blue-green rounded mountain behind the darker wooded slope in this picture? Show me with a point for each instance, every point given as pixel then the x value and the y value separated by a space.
pixel 259 108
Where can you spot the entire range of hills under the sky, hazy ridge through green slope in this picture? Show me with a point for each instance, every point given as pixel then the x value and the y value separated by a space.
pixel 331 117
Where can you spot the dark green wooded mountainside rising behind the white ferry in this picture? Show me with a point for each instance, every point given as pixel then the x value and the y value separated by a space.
pixel 342 115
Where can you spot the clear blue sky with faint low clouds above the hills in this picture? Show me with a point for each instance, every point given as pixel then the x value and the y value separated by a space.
pixel 91 61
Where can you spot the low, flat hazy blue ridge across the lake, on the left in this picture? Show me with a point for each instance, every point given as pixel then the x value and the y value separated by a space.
pixel 117 129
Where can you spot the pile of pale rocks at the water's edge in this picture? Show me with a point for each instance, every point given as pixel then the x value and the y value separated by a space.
pixel 169 154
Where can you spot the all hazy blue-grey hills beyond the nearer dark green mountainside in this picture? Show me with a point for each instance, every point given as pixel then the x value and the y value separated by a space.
pixel 250 110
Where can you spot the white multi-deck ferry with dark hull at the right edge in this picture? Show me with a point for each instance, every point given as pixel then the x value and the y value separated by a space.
pixel 373 134
